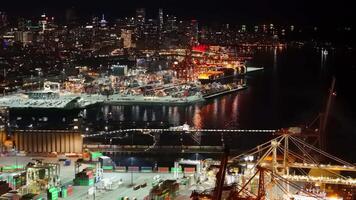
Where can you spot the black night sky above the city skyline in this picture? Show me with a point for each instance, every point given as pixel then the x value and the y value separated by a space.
pixel 230 11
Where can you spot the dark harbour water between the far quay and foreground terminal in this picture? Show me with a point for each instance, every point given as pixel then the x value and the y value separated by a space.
pixel 290 91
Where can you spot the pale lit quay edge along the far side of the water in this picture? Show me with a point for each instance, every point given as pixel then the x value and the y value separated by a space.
pixel 80 101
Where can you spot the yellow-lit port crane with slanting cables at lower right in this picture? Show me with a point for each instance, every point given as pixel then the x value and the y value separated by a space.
pixel 288 153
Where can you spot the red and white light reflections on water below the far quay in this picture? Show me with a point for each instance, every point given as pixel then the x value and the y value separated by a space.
pixel 221 112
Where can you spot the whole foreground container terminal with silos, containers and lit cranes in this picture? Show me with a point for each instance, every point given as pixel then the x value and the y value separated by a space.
pixel 77 164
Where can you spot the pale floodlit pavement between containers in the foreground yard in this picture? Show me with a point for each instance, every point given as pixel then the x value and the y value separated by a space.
pixel 124 189
